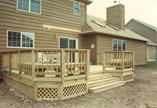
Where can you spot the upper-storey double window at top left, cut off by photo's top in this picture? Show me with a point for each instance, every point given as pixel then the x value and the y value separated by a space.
pixel 29 5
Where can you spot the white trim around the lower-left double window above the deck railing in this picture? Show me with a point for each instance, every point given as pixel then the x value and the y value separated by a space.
pixel 20 40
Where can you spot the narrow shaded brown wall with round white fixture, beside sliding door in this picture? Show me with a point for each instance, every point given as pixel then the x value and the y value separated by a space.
pixel 91 39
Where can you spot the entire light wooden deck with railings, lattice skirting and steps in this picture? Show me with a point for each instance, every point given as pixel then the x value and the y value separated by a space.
pixel 70 76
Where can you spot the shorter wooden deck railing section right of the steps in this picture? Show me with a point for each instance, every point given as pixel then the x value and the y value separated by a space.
pixel 116 59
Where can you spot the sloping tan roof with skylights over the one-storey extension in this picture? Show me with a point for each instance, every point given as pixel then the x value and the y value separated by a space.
pixel 108 29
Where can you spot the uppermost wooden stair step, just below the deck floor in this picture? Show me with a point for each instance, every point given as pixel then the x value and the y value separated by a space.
pixel 100 76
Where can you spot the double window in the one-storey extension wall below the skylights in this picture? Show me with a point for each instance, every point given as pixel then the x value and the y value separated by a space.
pixel 119 45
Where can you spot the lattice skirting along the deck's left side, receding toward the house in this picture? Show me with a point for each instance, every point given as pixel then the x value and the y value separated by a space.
pixel 27 90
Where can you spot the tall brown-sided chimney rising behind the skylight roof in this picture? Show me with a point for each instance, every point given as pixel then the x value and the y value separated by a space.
pixel 115 16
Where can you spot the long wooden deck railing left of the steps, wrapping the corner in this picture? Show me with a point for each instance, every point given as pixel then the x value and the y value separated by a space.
pixel 53 62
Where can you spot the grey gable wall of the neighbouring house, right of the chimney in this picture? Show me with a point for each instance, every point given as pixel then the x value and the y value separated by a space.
pixel 142 30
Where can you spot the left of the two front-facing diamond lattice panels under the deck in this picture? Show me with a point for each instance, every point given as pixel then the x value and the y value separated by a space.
pixel 47 93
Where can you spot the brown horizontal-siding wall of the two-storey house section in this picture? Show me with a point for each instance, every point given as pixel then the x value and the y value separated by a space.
pixel 58 13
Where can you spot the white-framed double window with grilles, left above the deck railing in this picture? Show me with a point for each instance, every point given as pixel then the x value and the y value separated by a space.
pixel 20 39
